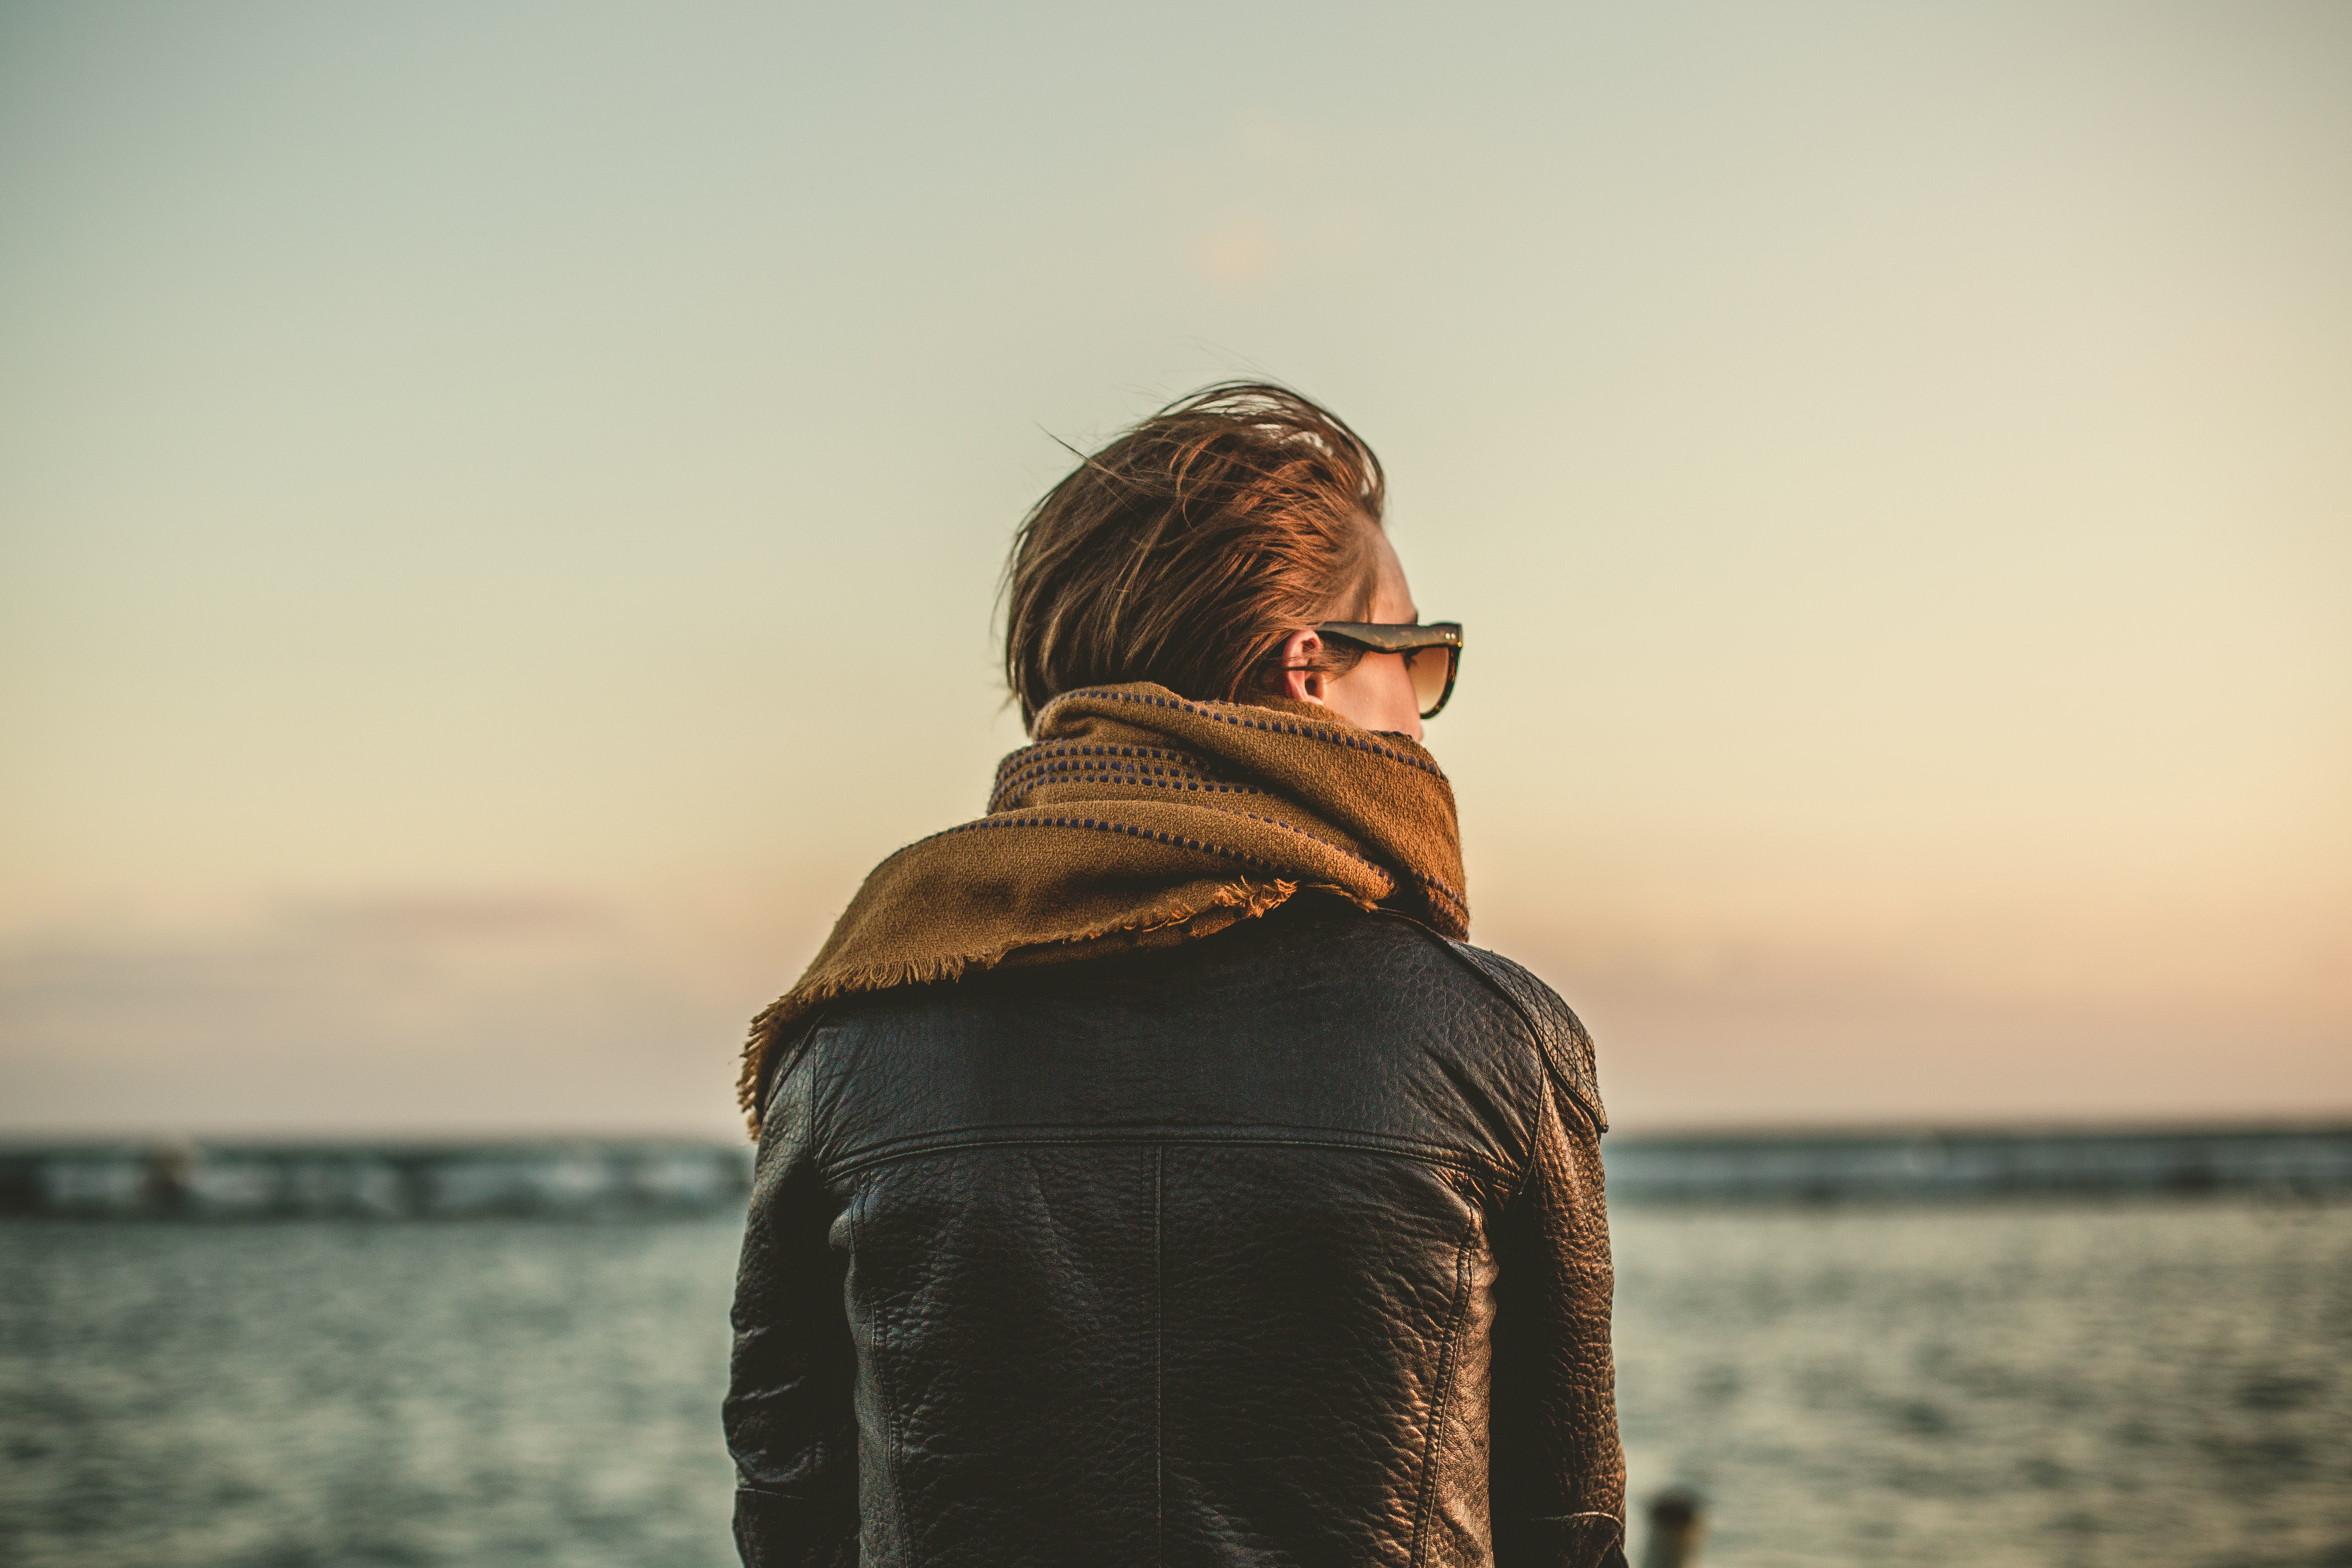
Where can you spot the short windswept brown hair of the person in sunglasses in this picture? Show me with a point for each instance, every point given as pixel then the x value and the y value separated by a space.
pixel 1191 547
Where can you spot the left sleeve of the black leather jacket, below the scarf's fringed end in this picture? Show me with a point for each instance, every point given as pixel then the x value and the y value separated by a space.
pixel 791 1421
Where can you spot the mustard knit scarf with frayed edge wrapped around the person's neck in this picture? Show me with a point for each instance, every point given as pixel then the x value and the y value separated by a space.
pixel 1142 819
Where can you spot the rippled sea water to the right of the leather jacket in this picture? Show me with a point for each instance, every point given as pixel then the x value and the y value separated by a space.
pixel 2005 1383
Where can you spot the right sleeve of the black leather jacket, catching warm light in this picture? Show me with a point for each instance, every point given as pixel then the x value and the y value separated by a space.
pixel 1556 1473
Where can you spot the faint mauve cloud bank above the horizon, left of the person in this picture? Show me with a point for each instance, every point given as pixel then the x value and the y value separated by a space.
pixel 361 1014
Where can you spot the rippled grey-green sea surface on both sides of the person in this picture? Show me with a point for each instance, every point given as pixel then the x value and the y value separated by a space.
pixel 1866 1386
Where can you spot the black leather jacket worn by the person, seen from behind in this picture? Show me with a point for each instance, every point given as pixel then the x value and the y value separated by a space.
pixel 1278 1247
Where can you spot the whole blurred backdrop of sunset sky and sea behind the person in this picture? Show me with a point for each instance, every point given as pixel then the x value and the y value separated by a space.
pixel 500 514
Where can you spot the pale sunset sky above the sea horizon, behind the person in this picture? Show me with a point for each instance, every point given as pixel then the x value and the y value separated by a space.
pixel 502 507
